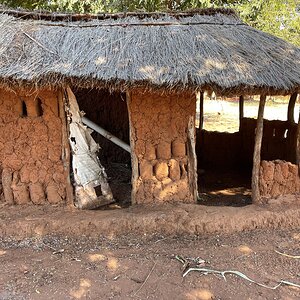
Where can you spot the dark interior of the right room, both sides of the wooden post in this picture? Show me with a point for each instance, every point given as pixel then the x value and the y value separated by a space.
pixel 225 159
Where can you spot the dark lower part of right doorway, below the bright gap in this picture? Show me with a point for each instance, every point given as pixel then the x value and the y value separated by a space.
pixel 223 179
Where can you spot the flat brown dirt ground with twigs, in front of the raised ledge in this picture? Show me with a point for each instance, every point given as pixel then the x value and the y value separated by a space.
pixel 144 267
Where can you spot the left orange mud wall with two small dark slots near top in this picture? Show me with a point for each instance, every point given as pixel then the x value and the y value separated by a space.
pixel 31 147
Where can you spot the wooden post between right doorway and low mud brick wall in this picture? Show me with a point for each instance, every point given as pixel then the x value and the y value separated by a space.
pixel 257 150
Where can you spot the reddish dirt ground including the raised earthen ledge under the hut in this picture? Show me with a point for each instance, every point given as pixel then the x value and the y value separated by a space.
pixel 130 252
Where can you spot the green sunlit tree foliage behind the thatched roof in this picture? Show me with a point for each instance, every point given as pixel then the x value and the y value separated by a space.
pixel 279 17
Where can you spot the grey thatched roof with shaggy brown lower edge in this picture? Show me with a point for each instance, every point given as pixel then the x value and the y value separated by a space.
pixel 208 49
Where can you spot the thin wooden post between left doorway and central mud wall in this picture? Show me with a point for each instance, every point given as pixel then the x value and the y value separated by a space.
pixel 134 159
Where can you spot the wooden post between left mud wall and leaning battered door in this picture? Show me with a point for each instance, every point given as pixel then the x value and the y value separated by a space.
pixel 66 153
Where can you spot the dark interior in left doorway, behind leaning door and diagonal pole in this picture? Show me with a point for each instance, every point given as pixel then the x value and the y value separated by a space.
pixel 109 111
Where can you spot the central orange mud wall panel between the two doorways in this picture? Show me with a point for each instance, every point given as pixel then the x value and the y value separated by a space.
pixel 159 126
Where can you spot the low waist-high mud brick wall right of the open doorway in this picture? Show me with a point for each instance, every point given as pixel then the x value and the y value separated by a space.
pixel 278 178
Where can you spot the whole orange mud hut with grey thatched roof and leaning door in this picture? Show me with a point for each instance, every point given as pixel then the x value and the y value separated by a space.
pixel 137 75
